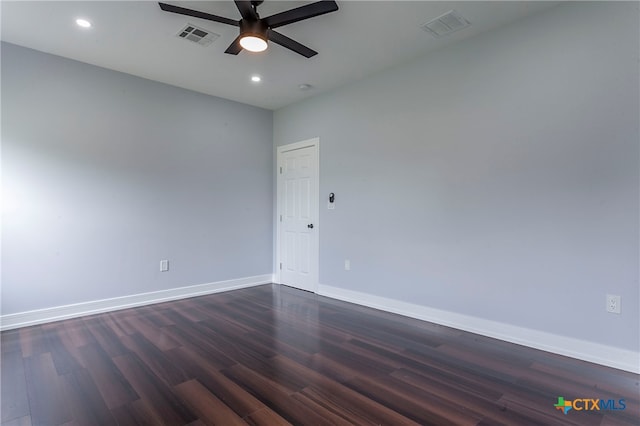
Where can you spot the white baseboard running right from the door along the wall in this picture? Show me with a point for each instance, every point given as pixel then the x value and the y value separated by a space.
pixel 575 348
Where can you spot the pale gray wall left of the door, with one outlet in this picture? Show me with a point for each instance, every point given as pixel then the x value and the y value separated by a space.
pixel 105 174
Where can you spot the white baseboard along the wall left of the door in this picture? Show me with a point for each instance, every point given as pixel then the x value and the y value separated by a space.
pixel 40 316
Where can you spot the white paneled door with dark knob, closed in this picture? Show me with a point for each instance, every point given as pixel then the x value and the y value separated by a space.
pixel 298 215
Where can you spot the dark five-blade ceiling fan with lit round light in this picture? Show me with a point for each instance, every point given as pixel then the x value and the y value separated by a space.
pixel 256 31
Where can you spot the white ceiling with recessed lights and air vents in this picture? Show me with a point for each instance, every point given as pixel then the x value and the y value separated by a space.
pixel 136 37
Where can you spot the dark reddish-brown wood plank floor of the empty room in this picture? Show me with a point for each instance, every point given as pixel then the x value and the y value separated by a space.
pixel 273 355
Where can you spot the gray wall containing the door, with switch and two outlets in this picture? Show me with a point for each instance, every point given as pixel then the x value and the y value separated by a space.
pixel 496 178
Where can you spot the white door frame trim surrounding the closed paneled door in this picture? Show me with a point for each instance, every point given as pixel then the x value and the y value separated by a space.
pixel 315 143
